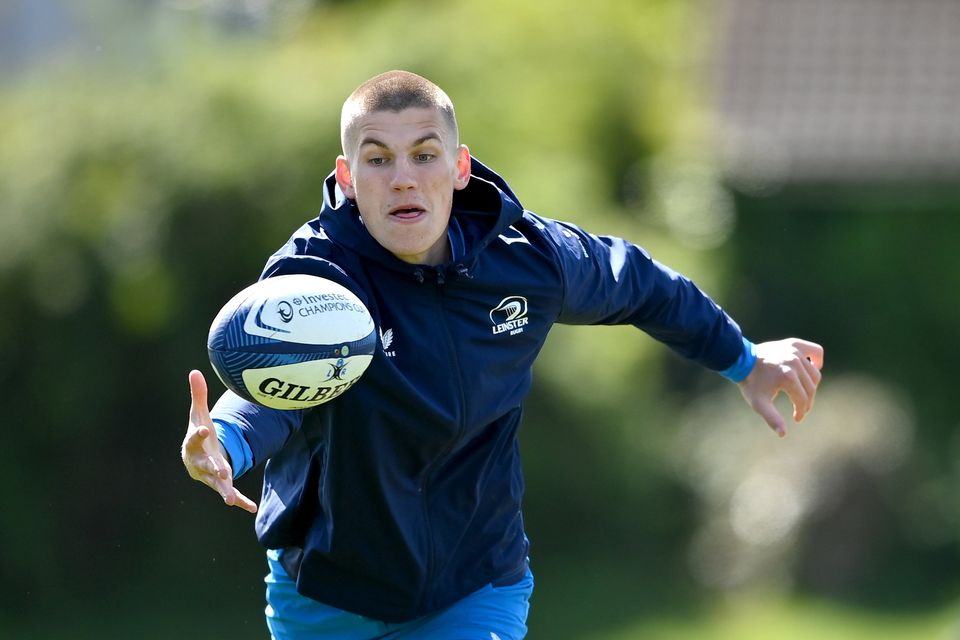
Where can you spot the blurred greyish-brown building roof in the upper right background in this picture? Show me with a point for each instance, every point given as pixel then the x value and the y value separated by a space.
pixel 838 90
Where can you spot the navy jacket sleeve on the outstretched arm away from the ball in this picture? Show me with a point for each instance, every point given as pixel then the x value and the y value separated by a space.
pixel 609 280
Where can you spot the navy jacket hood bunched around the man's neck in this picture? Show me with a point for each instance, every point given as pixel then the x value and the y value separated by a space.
pixel 485 208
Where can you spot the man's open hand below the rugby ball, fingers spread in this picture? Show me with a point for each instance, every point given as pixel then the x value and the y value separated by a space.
pixel 203 455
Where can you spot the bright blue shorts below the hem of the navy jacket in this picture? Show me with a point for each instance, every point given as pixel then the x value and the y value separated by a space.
pixel 492 613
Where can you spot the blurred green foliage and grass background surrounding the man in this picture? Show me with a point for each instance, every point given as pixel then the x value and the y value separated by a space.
pixel 151 164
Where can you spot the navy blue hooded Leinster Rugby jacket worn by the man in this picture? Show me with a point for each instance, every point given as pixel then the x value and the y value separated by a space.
pixel 405 492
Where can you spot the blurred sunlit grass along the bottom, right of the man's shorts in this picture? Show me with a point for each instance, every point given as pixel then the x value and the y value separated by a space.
pixel 621 601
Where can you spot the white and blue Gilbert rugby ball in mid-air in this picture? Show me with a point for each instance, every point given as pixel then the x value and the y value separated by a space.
pixel 292 341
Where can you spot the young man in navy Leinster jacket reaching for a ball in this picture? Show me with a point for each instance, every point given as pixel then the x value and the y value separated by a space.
pixel 394 511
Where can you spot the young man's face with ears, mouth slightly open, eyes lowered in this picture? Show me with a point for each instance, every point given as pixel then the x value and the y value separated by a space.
pixel 402 169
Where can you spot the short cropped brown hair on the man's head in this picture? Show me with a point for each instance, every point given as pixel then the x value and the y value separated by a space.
pixel 395 91
